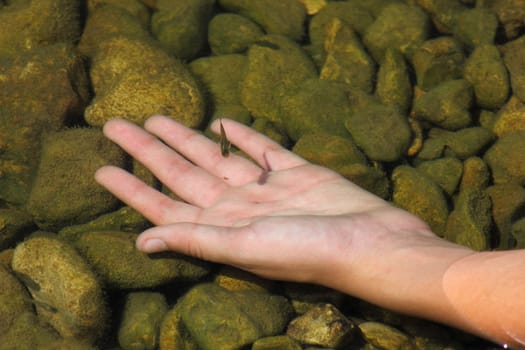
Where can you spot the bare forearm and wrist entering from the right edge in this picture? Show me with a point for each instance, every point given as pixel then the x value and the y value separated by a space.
pixel 481 293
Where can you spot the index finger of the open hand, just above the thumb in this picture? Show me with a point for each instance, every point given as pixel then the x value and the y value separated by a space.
pixel 155 206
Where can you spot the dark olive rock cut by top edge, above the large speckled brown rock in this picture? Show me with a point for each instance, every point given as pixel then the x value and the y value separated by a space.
pixel 181 26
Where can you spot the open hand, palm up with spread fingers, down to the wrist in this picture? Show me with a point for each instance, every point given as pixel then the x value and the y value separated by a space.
pixel 302 223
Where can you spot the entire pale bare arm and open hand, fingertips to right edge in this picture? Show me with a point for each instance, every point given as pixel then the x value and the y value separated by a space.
pixel 305 223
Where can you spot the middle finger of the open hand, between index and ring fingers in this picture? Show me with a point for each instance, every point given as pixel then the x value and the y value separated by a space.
pixel 169 167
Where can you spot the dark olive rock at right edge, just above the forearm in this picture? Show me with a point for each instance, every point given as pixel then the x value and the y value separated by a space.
pixel 508 204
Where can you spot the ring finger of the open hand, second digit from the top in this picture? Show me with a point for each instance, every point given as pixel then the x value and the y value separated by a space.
pixel 202 151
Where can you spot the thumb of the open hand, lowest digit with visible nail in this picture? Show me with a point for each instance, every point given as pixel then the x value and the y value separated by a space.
pixel 206 242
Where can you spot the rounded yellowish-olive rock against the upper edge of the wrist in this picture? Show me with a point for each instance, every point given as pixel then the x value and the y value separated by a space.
pixel 419 195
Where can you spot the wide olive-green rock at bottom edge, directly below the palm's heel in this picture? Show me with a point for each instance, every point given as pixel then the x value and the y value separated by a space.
pixel 219 319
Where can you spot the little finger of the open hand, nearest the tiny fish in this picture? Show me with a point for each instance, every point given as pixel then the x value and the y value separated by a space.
pixel 266 152
